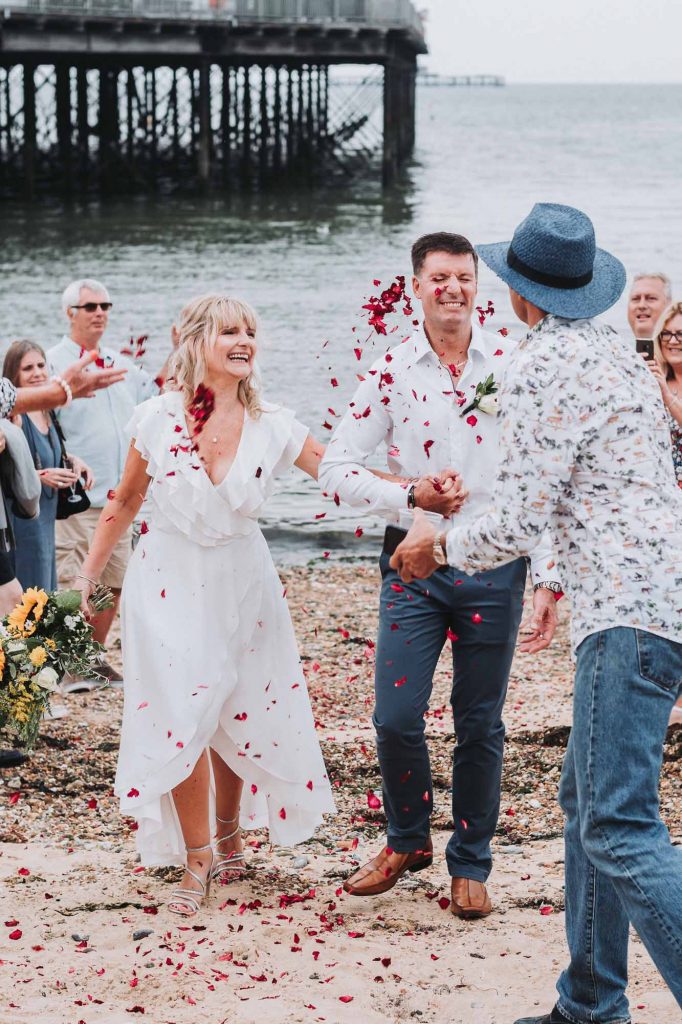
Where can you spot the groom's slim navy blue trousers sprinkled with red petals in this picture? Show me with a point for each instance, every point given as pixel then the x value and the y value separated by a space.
pixel 485 613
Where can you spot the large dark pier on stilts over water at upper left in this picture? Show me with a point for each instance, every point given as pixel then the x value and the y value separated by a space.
pixel 161 96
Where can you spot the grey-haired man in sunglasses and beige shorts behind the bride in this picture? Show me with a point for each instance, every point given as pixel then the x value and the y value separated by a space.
pixel 99 429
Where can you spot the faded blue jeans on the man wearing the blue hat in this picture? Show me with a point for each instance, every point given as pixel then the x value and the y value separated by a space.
pixel 621 866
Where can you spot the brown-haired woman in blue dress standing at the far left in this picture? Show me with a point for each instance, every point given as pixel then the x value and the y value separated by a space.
pixel 26 365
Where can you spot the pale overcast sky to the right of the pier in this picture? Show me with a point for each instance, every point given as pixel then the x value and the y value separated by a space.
pixel 558 40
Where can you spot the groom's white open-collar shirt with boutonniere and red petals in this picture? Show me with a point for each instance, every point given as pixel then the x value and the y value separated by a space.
pixel 409 402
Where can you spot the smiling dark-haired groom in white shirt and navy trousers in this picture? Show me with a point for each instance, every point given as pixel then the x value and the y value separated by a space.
pixel 416 400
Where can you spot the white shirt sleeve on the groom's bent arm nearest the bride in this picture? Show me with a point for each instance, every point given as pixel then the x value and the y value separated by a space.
pixel 343 472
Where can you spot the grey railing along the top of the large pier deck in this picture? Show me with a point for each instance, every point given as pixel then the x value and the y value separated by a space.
pixel 390 14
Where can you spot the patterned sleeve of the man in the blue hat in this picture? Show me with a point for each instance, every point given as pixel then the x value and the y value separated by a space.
pixel 540 439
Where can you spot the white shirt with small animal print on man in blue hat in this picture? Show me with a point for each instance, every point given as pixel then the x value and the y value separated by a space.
pixel 585 449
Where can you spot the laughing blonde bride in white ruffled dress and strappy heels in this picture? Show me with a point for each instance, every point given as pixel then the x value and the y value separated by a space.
pixel 218 726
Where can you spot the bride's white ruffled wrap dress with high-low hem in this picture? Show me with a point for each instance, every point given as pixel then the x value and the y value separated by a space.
pixel 209 652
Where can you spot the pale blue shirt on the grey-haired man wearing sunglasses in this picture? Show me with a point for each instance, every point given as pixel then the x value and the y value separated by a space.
pixel 96 429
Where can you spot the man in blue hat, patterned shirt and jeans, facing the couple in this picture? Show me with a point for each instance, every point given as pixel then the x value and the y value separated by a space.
pixel 585 452
